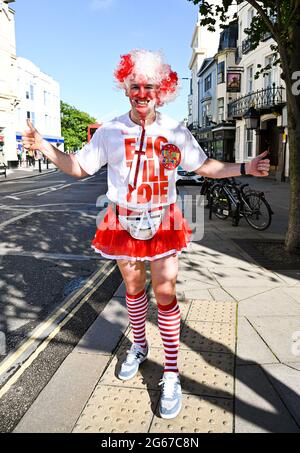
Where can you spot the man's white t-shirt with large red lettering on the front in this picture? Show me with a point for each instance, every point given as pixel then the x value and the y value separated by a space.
pixel 115 143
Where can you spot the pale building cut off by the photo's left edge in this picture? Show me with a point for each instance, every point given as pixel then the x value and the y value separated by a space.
pixel 8 88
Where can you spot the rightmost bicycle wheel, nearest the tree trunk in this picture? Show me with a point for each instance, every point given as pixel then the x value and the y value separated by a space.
pixel 257 211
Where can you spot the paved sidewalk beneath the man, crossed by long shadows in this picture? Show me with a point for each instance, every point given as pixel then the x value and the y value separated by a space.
pixel 239 358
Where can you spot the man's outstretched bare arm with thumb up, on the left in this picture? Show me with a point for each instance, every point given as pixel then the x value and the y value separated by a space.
pixel 67 163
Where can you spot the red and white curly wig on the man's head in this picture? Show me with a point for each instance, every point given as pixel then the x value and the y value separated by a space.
pixel 148 67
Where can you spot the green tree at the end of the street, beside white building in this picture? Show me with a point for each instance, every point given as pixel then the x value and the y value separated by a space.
pixel 74 124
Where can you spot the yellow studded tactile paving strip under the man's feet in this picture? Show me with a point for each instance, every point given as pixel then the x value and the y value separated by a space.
pixel 206 363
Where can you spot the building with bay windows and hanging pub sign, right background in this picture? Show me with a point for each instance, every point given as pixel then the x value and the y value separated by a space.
pixel 218 80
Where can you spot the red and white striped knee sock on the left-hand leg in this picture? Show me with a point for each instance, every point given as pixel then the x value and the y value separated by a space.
pixel 137 307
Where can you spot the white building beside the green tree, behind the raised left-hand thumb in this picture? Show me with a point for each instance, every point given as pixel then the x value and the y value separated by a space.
pixel 39 96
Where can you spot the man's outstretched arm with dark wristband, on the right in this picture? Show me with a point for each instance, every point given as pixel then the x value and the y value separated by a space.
pixel 216 169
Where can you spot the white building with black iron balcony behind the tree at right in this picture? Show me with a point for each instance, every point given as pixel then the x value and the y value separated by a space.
pixel 266 94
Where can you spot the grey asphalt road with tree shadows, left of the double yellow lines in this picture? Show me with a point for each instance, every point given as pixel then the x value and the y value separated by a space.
pixel 46 226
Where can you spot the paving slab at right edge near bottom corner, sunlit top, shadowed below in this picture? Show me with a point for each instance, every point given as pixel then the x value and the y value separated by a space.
pixel 286 381
